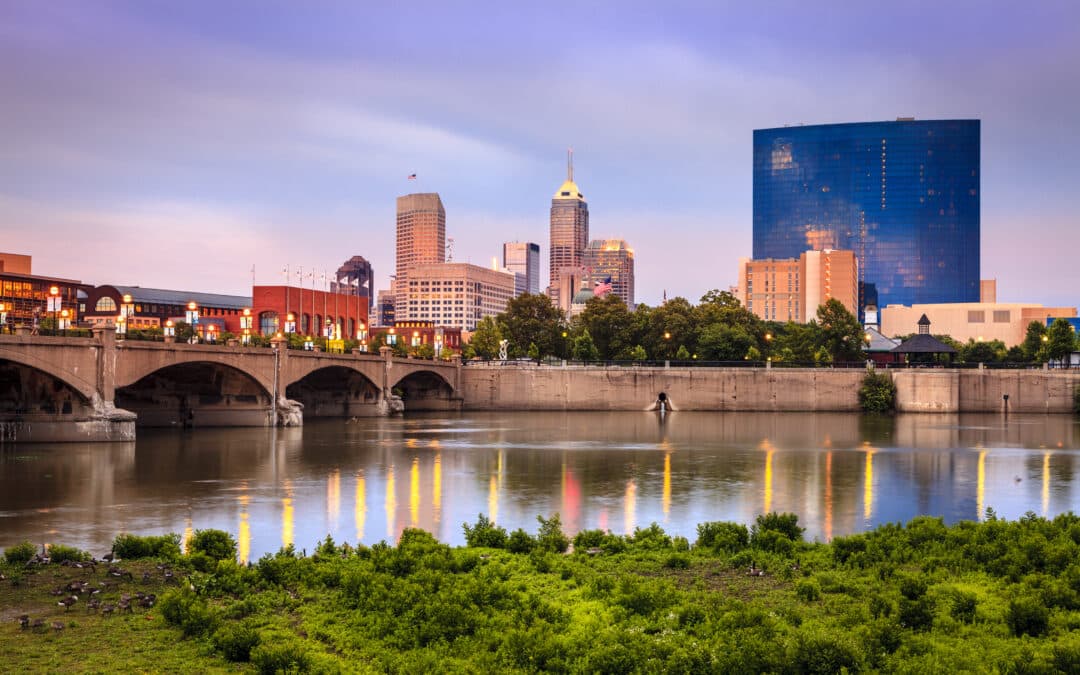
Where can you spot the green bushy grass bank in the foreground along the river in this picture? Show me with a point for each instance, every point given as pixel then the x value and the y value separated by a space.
pixel 992 597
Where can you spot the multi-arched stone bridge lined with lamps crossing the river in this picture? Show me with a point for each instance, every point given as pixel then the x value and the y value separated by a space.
pixel 79 389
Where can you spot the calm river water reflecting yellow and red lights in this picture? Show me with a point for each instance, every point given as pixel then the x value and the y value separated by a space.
pixel 367 481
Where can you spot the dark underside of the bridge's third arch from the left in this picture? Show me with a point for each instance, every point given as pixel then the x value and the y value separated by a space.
pixel 335 391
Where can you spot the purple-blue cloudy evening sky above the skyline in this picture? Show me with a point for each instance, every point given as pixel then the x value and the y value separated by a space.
pixel 180 145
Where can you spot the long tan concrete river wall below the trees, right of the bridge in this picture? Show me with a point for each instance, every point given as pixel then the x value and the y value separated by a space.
pixel 919 390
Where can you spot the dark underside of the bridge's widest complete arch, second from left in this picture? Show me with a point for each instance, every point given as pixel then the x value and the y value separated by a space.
pixel 197 394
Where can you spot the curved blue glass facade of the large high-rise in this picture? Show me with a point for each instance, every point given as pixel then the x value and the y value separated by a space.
pixel 903 196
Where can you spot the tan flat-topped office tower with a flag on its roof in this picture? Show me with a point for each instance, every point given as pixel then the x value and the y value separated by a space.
pixel 422 236
